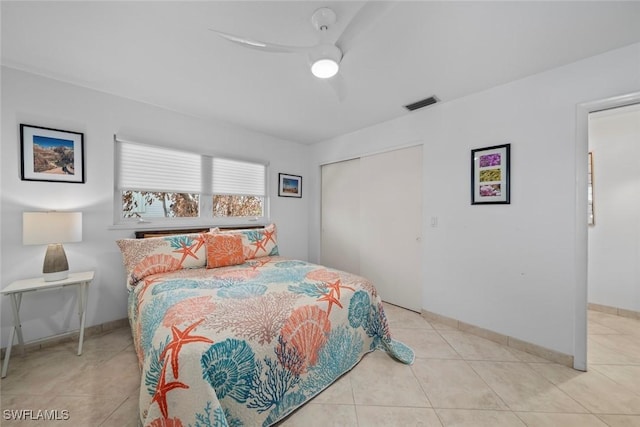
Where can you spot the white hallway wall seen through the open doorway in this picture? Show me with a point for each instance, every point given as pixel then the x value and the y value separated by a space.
pixel 614 240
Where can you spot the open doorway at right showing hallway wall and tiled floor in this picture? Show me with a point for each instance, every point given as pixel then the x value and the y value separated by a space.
pixel 614 238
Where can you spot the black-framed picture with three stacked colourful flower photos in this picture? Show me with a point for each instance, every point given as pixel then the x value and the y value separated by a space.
pixel 490 175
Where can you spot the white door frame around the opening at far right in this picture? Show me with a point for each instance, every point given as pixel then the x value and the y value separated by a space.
pixel 582 261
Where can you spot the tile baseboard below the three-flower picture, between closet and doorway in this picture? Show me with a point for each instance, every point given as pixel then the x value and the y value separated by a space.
pixel 527 347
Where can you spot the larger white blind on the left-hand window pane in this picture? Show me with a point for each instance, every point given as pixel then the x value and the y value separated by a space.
pixel 149 168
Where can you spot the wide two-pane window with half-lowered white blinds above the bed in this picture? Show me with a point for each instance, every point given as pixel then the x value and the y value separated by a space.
pixel 155 183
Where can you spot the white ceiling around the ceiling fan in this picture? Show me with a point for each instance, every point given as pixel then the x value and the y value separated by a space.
pixel 163 53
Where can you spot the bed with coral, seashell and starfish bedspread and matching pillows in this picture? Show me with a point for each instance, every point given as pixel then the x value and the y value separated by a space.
pixel 229 333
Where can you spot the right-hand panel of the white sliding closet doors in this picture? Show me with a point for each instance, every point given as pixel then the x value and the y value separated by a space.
pixel 391 225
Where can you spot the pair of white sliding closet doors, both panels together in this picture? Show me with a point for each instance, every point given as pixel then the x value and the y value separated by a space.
pixel 372 222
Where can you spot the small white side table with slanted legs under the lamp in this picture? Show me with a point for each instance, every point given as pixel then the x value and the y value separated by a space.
pixel 19 287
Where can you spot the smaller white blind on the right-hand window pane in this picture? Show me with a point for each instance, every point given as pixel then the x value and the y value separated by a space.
pixel 238 178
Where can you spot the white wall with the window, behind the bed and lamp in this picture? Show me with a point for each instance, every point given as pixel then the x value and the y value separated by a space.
pixel 30 99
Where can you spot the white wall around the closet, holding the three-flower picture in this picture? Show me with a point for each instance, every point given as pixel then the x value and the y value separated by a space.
pixel 507 268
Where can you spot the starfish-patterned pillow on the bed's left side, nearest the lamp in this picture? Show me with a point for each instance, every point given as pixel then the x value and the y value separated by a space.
pixel 144 257
